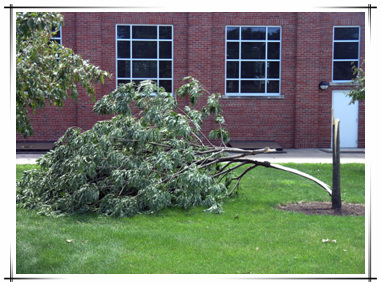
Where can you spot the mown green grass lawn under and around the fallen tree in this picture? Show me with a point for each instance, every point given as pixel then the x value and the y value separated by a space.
pixel 250 236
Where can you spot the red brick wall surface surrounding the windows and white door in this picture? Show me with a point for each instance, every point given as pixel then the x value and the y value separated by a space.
pixel 300 118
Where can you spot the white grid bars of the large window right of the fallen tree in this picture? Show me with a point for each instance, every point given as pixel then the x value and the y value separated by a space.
pixel 240 60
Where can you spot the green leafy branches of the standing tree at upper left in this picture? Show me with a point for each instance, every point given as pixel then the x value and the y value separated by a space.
pixel 46 71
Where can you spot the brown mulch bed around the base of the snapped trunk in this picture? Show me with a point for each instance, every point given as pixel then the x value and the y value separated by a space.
pixel 325 208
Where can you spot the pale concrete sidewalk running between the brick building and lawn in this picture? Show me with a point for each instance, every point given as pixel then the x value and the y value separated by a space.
pixel 287 156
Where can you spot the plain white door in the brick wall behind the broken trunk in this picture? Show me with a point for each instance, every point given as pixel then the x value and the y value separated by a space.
pixel 348 115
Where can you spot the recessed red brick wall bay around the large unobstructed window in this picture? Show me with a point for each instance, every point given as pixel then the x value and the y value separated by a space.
pixel 251 118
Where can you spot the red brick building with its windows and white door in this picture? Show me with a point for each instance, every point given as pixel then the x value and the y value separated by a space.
pixel 267 66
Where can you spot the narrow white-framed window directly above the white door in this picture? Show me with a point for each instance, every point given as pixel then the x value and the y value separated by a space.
pixel 346 52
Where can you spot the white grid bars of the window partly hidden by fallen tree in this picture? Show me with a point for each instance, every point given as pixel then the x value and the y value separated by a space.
pixel 132 59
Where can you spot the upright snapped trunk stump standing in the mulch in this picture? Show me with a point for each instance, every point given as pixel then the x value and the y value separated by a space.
pixel 336 193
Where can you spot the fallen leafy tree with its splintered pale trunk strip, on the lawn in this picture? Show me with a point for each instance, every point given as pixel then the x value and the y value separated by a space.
pixel 141 162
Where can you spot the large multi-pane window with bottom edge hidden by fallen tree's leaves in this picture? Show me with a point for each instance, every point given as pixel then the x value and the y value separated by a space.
pixel 144 52
